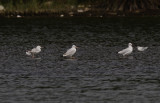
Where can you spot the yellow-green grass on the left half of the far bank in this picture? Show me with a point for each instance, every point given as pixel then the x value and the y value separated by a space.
pixel 37 5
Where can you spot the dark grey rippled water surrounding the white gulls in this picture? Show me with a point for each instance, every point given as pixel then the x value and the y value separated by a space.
pixel 97 75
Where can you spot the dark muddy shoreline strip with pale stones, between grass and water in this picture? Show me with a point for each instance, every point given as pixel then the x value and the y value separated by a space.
pixel 89 13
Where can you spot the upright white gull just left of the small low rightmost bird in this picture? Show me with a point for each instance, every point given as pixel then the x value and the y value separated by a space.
pixel 126 51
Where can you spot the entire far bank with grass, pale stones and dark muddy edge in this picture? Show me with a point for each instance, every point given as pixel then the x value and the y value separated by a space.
pixel 73 7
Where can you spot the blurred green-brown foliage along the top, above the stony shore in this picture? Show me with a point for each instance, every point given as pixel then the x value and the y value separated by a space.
pixel 66 5
